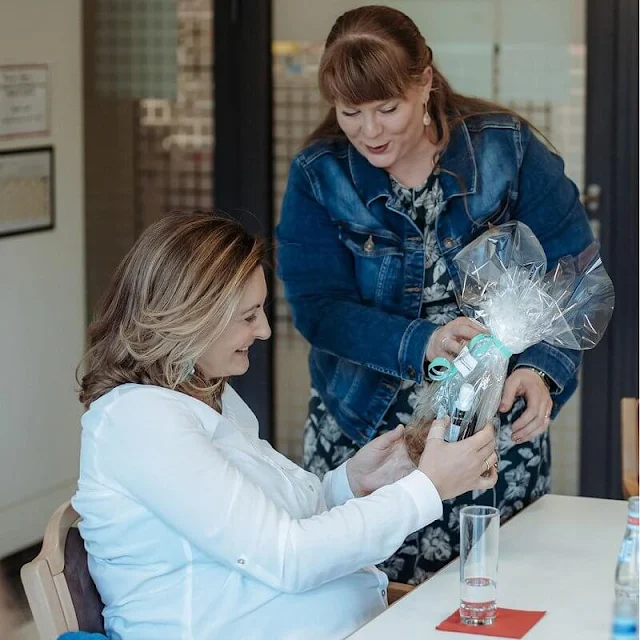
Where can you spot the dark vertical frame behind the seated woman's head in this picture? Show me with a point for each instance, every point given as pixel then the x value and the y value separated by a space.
pixel 243 156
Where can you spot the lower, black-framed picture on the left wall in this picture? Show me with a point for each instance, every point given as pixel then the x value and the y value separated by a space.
pixel 26 190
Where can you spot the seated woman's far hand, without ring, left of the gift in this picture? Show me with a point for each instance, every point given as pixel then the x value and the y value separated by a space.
pixel 380 462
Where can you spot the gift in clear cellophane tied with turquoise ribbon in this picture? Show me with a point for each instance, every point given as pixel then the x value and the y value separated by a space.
pixel 507 289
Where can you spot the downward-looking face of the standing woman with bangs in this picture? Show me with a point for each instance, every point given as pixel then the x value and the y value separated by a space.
pixel 390 134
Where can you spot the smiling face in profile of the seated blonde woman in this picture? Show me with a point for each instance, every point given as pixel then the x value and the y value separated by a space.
pixel 228 355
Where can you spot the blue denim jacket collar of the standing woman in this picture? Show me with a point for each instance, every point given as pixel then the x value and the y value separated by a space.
pixel 457 168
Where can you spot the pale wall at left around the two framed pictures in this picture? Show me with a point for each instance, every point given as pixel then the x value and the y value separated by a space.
pixel 42 290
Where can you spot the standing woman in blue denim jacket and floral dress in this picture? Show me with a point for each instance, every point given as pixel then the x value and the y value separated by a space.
pixel 399 177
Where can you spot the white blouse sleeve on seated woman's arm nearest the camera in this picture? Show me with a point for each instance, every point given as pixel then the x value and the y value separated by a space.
pixel 158 452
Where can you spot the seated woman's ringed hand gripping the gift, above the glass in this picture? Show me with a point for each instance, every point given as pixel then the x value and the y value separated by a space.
pixel 458 467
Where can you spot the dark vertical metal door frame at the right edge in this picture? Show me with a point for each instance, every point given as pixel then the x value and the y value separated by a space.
pixel 610 371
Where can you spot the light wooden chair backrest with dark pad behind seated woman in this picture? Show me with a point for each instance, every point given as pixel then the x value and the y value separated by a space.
pixel 59 588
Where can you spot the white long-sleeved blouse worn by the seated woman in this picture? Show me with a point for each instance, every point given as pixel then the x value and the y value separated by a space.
pixel 197 529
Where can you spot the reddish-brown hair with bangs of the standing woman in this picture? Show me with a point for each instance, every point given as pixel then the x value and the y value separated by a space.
pixel 377 53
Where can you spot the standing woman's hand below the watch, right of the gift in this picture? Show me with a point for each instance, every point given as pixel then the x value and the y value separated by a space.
pixel 537 416
